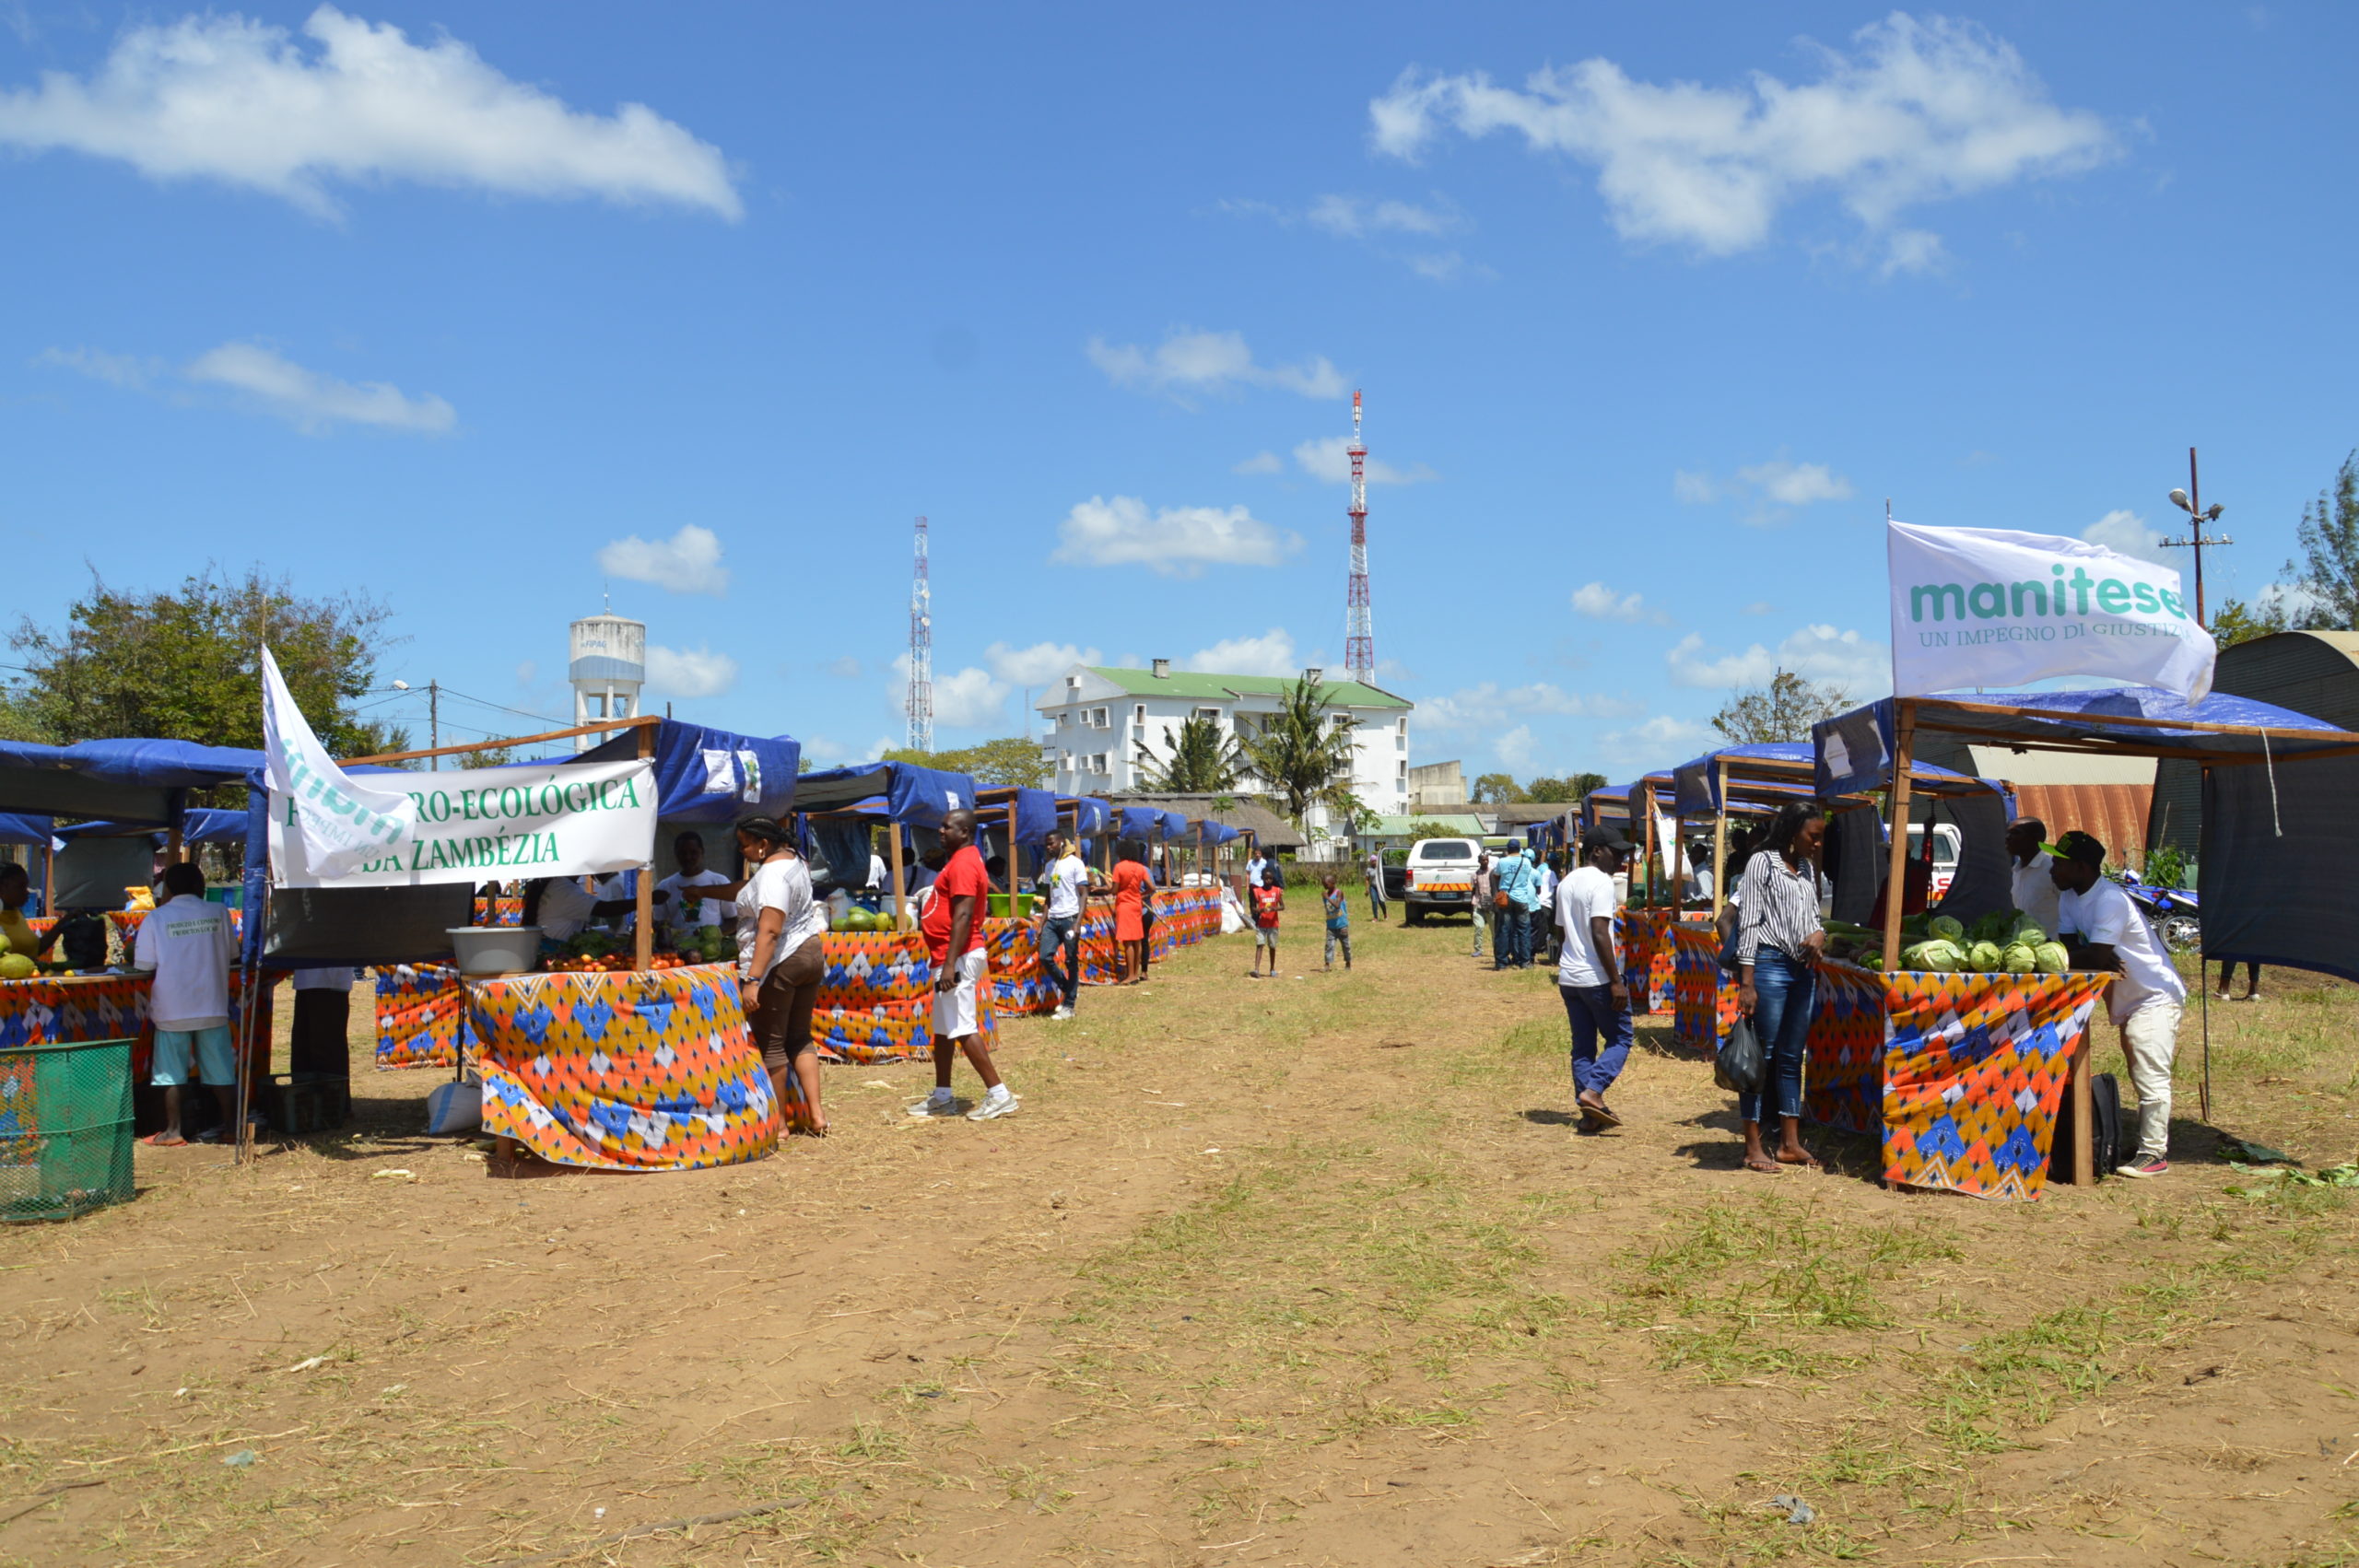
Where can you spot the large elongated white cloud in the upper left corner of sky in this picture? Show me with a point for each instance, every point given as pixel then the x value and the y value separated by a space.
pixel 249 105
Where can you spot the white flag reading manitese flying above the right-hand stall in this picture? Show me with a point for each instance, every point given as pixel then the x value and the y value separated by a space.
pixel 1992 607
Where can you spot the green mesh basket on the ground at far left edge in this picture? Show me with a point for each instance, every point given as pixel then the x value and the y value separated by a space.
pixel 65 1128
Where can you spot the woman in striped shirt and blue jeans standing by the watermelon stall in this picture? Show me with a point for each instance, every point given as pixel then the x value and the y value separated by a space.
pixel 1778 942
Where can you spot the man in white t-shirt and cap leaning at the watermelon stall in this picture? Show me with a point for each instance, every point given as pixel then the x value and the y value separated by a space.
pixel 2146 999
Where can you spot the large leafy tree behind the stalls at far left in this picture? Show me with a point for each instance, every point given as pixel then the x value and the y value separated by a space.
pixel 183 666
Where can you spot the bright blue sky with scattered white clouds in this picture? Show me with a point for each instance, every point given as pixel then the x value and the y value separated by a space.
pixel 1652 308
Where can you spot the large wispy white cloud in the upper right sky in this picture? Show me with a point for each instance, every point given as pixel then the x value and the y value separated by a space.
pixel 1917 112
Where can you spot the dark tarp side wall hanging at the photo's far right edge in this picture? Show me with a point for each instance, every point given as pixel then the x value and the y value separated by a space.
pixel 2280 871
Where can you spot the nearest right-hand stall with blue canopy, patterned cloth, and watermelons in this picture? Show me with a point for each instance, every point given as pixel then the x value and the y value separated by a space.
pixel 1966 1079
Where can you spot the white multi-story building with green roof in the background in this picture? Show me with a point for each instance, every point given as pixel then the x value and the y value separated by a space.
pixel 1110 727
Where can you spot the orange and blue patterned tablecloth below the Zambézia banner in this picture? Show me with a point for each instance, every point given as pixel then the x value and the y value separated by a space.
pixel 624 1072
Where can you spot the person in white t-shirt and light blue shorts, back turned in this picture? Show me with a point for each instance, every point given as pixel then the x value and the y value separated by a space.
pixel 188 947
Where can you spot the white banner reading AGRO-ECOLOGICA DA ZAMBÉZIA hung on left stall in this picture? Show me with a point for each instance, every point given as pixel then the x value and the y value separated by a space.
pixel 494 826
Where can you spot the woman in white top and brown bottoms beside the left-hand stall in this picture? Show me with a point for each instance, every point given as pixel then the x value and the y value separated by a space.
pixel 780 958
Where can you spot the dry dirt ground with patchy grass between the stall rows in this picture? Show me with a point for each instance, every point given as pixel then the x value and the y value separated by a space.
pixel 1268 1272
